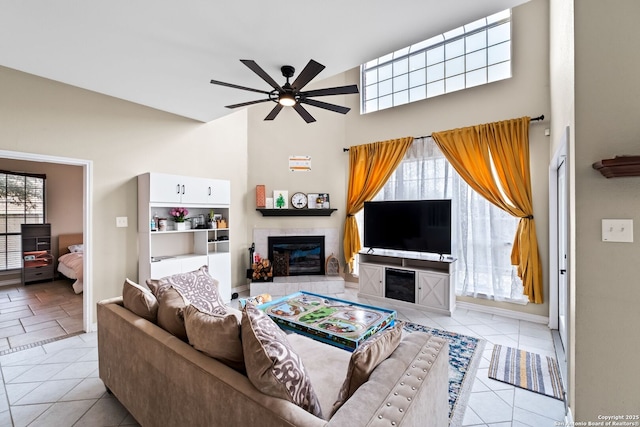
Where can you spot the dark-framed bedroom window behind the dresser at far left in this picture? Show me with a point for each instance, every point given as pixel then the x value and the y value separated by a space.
pixel 21 202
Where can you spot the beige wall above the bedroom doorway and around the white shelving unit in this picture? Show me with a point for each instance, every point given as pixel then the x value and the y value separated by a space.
pixel 122 140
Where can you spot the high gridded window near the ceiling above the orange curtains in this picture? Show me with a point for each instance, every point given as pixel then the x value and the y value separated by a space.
pixel 474 54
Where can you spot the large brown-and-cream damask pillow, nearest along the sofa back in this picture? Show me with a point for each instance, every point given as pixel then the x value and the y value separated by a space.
pixel 273 367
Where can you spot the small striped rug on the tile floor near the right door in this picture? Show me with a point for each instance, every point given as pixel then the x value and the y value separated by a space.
pixel 526 370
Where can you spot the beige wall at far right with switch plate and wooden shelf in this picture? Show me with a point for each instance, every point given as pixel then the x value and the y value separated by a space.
pixel 607 294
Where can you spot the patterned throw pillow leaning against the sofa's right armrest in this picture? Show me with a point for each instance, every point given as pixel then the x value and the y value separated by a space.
pixel 365 358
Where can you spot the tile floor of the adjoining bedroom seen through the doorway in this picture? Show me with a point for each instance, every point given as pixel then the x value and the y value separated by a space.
pixel 38 312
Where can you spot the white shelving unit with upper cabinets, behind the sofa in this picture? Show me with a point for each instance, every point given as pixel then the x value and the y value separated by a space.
pixel 164 253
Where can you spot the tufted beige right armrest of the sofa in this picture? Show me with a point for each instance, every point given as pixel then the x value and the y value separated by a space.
pixel 410 388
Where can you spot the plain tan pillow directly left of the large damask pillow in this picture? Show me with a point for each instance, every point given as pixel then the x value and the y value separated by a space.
pixel 216 335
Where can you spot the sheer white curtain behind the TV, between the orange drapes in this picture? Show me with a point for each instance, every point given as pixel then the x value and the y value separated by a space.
pixel 482 234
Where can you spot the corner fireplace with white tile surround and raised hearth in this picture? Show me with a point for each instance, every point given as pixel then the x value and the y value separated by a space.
pixel 309 274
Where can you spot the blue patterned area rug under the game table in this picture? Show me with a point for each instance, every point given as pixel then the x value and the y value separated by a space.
pixel 465 353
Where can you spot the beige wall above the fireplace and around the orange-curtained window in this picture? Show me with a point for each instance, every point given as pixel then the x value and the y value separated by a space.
pixel 526 94
